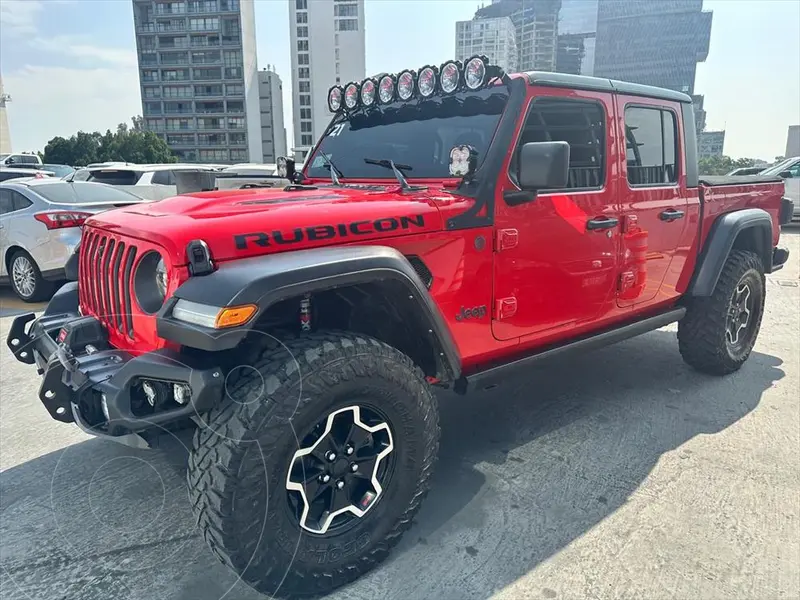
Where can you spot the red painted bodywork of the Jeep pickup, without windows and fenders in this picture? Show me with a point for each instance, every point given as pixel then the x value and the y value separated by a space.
pixel 541 275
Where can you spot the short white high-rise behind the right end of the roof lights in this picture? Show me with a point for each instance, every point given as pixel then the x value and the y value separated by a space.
pixel 494 38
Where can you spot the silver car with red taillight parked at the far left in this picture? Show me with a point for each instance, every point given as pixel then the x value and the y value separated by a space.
pixel 40 226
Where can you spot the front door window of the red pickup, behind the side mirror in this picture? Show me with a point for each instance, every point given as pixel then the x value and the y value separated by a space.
pixel 580 123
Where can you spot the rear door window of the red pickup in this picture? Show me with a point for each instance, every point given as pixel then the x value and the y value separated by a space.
pixel 651 146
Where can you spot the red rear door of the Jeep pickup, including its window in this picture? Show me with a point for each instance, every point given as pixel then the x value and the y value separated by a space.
pixel 654 202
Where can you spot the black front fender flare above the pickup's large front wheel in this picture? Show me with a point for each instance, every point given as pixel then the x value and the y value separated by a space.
pixel 265 280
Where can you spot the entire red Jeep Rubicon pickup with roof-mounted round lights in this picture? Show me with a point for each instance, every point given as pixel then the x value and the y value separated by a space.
pixel 451 222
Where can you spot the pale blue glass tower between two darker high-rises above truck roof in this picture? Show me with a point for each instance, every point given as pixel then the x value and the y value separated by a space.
pixel 577 35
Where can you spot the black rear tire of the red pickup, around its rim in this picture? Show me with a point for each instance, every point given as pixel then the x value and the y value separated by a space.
pixel 702 332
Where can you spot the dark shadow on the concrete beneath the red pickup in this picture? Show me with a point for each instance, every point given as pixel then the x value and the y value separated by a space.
pixel 525 468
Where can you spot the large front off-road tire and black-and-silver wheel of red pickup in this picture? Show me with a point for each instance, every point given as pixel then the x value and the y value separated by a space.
pixel 289 420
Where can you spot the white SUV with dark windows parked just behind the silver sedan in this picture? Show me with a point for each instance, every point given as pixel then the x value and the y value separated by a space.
pixel 152 182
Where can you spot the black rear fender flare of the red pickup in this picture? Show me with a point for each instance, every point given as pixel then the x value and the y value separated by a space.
pixel 720 242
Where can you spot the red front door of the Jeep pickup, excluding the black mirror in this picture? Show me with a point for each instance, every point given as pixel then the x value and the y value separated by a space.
pixel 555 263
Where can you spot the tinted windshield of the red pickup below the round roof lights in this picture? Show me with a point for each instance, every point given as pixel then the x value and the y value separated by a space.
pixel 418 133
